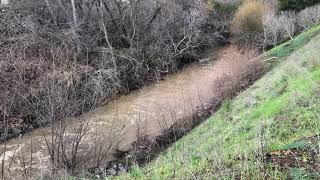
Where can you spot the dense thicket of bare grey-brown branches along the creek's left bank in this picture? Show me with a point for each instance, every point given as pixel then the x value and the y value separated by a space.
pixel 60 58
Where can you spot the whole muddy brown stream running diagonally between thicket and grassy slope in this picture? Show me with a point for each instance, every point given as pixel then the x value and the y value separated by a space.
pixel 115 127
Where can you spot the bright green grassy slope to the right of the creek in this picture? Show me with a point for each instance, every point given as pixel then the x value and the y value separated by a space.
pixel 277 111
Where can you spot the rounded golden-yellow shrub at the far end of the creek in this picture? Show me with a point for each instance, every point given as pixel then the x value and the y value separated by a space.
pixel 248 18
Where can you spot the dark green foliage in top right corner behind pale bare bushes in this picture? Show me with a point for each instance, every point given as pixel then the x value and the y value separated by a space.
pixel 296 4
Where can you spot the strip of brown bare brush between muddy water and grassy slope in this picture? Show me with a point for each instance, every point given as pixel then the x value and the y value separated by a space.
pixel 147 148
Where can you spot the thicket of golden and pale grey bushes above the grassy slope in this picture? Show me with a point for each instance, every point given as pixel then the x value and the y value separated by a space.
pixel 260 24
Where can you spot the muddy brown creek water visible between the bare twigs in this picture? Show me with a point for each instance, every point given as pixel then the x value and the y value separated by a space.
pixel 115 126
